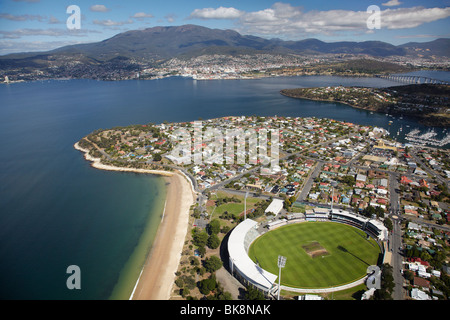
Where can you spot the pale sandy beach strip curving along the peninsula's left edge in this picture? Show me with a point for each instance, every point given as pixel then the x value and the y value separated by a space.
pixel 157 275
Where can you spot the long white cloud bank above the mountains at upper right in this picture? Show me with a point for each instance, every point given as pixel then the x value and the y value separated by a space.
pixel 287 20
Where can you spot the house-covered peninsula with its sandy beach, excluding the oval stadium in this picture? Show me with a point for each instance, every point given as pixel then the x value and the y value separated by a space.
pixel 322 162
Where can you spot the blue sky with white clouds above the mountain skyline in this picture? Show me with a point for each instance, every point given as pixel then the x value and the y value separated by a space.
pixel 39 25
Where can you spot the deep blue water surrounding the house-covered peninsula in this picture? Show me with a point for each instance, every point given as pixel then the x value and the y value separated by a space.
pixel 55 210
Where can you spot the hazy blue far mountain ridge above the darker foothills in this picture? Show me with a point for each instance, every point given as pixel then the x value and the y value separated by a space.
pixel 168 42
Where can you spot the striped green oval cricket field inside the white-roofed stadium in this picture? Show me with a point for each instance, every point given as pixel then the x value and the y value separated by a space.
pixel 319 254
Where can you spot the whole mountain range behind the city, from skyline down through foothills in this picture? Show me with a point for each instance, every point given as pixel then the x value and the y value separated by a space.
pixel 156 44
